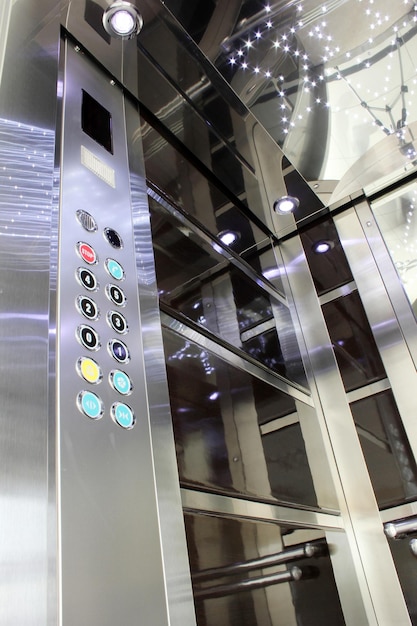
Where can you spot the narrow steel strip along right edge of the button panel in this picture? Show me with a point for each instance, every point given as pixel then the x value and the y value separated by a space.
pixel 171 521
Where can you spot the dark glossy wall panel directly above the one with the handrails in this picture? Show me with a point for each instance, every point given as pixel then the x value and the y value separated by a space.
pixel 217 410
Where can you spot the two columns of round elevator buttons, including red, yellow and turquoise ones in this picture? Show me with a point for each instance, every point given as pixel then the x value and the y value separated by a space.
pixel 91 336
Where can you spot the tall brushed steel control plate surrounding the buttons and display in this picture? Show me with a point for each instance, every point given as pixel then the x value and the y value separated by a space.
pixel 108 524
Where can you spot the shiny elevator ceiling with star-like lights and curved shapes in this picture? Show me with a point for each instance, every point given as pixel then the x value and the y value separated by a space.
pixel 333 82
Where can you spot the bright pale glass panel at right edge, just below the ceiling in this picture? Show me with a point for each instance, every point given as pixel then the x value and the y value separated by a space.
pixel 397 221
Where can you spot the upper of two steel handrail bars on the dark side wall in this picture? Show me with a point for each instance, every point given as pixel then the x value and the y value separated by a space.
pixel 307 550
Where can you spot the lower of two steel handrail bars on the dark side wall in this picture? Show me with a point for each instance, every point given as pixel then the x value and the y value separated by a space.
pixel 294 574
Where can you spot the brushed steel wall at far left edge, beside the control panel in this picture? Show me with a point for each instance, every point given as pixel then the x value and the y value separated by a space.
pixel 27 146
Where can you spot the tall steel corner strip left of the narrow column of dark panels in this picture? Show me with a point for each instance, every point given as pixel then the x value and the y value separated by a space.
pixel 376 589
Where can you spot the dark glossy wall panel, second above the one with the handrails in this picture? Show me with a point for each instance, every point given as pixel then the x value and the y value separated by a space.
pixel 202 285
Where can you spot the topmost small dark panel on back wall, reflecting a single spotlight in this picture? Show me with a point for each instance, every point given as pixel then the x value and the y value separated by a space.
pixel 326 258
